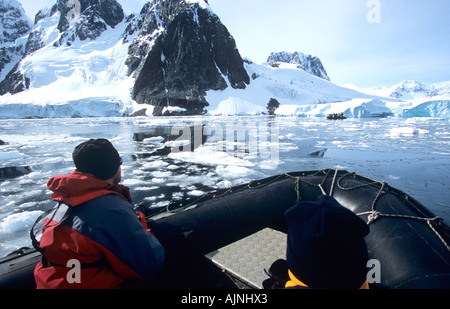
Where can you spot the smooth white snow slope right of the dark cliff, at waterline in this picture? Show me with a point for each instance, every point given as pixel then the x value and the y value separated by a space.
pixel 299 93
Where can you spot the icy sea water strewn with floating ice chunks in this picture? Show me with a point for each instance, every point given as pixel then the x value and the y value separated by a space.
pixel 174 158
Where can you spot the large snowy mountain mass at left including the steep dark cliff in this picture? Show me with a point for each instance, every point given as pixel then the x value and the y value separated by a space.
pixel 168 55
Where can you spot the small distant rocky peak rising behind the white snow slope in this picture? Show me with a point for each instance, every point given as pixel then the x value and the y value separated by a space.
pixel 308 63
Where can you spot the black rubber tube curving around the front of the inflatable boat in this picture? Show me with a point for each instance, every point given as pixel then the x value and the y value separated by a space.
pixel 409 241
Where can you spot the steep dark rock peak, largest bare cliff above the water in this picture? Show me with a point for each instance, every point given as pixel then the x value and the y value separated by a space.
pixel 182 51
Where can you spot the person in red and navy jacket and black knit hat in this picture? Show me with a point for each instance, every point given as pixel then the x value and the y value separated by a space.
pixel 109 240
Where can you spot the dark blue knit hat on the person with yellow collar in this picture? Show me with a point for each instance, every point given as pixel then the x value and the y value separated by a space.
pixel 326 247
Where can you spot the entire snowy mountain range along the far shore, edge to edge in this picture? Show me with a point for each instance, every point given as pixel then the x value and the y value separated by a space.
pixel 171 57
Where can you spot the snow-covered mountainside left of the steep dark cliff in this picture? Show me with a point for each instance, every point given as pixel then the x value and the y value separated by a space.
pixel 71 70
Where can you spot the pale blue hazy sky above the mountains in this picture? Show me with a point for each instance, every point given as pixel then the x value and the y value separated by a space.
pixel 367 43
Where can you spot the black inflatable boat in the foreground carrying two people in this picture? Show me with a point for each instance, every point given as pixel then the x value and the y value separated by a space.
pixel 410 244
